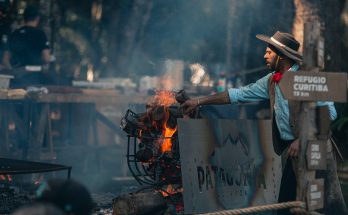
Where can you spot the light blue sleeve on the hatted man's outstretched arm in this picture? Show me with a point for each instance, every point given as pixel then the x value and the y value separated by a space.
pixel 251 93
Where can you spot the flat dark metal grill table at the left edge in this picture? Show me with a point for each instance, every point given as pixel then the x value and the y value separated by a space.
pixel 13 167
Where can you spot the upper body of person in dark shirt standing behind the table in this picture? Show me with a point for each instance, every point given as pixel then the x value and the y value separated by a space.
pixel 28 51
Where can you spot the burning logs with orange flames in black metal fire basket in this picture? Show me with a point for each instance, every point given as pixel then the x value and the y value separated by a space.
pixel 153 149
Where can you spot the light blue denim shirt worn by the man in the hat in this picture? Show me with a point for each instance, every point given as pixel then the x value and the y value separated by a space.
pixel 259 91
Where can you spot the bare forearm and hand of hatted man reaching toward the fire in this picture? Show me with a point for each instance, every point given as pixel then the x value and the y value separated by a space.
pixel 216 99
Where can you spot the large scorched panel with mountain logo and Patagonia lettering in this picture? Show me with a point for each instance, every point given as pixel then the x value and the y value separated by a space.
pixel 229 164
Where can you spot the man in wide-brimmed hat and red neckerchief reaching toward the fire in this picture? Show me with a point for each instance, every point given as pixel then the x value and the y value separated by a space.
pixel 281 56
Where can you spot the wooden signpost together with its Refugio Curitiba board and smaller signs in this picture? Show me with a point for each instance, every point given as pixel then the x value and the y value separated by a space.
pixel 315 151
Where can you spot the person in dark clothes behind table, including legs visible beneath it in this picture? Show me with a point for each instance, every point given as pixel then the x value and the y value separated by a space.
pixel 27 53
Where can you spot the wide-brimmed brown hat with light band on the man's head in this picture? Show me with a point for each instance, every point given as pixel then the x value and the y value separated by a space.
pixel 284 43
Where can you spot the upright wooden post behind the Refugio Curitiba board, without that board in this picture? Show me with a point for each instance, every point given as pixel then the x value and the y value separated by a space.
pixel 309 189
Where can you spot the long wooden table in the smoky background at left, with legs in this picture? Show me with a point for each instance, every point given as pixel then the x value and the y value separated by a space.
pixel 62 95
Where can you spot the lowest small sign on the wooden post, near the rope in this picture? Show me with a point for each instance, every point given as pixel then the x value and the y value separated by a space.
pixel 315 194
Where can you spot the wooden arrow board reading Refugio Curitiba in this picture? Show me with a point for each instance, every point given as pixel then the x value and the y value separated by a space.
pixel 314 86
